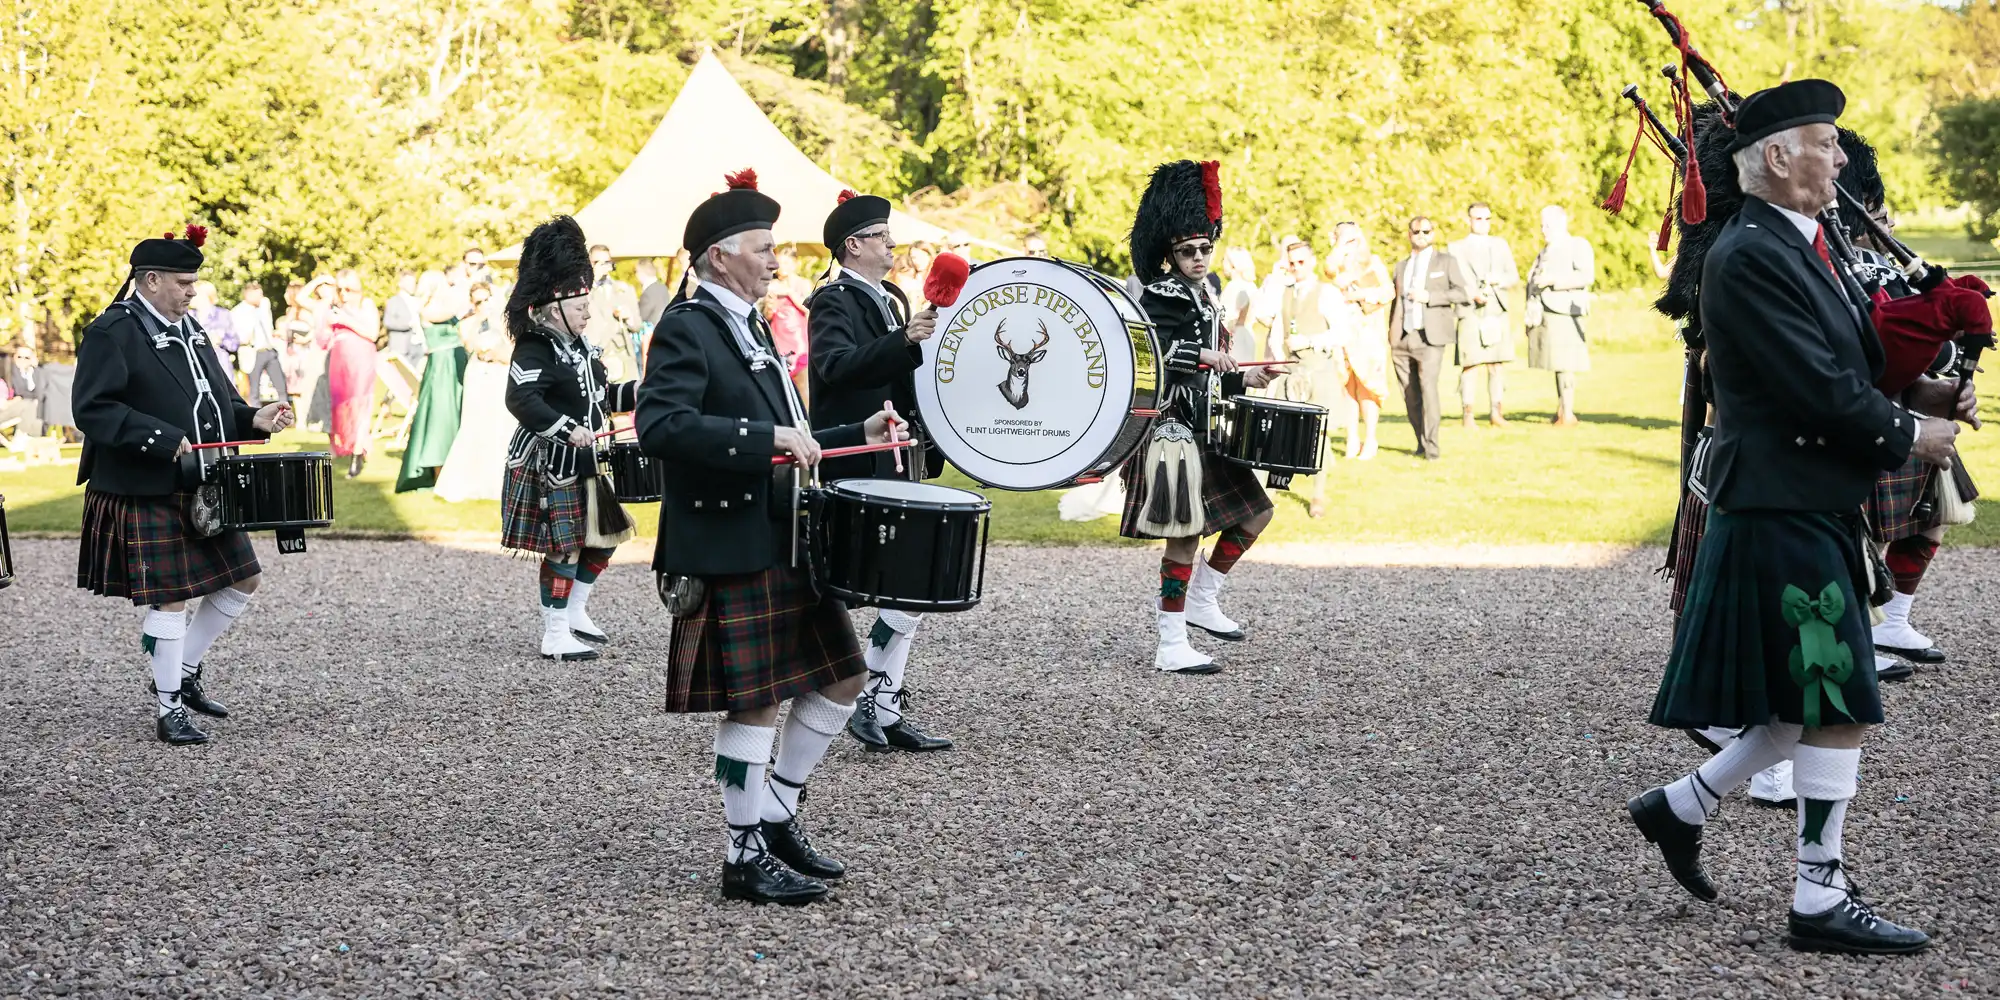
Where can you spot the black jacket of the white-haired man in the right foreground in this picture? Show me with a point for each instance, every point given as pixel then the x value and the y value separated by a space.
pixel 1799 421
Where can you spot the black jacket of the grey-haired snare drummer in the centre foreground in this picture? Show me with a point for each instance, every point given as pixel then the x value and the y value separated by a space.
pixel 711 419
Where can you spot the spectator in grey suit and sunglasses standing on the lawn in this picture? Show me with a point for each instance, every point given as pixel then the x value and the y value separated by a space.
pixel 1431 295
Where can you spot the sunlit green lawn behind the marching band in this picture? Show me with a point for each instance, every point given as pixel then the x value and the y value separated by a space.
pixel 1609 481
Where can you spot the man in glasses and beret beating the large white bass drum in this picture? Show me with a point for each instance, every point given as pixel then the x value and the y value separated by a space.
pixel 865 347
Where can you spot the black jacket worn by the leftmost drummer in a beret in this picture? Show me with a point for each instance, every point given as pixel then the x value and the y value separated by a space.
pixel 135 401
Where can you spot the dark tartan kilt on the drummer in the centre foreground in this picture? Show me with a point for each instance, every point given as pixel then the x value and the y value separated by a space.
pixel 761 639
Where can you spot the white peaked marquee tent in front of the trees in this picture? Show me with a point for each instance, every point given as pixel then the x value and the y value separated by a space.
pixel 711 131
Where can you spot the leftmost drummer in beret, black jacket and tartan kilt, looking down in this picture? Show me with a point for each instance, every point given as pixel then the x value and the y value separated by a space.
pixel 149 387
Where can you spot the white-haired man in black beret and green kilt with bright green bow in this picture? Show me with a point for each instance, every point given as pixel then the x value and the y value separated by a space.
pixel 1775 633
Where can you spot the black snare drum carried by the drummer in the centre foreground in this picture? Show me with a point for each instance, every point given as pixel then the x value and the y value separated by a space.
pixel 901 545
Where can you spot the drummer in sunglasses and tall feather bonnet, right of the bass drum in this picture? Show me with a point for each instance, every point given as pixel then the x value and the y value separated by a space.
pixel 1177 487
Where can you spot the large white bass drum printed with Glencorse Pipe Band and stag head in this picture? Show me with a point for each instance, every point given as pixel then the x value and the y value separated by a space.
pixel 1043 375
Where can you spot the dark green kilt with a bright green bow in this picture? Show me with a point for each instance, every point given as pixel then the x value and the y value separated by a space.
pixel 1773 627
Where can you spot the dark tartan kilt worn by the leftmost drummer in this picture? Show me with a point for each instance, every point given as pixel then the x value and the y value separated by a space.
pixel 139 547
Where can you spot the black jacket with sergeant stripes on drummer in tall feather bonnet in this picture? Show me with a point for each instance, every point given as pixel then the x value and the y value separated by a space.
pixel 555 387
